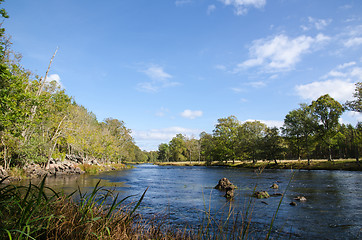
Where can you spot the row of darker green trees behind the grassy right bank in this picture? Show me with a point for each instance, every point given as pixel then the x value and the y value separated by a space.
pixel 309 132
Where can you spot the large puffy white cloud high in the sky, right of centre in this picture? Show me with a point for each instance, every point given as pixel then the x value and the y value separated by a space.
pixel 280 52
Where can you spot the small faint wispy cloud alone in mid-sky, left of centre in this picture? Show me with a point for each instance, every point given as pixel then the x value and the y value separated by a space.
pixel 159 79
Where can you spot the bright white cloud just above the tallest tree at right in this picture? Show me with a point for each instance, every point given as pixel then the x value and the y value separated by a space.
pixel 338 89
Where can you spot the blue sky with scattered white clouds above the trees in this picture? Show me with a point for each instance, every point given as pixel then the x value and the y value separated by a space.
pixel 176 66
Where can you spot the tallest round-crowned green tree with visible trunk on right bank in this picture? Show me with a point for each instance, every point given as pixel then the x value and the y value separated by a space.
pixel 327 111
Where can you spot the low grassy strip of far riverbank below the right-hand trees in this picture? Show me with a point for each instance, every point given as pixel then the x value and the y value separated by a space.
pixel 340 164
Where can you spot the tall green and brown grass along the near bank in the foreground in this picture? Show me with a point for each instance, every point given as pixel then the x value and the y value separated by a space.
pixel 39 212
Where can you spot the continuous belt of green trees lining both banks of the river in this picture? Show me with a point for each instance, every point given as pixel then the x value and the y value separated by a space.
pixel 40 123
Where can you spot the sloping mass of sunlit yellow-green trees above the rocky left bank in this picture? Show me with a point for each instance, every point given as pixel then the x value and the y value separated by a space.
pixel 39 121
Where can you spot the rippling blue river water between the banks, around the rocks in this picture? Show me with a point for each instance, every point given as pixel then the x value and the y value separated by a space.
pixel 333 209
